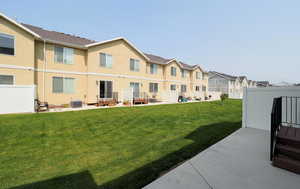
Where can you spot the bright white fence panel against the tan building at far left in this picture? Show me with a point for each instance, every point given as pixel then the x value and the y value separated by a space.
pixel 16 99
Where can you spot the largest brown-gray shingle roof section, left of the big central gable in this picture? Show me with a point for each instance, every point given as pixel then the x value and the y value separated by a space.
pixel 57 36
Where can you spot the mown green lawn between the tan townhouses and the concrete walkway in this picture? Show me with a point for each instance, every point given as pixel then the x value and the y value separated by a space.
pixel 108 148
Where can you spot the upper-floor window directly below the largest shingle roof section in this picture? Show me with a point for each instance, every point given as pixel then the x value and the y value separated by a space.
pixel 63 55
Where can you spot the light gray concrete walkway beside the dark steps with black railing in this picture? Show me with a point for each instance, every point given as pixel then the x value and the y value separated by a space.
pixel 240 161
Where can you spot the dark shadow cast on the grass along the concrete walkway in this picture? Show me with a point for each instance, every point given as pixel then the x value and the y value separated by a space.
pixel 203 137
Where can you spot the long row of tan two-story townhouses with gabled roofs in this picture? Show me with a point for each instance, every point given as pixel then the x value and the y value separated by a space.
pixel 66 68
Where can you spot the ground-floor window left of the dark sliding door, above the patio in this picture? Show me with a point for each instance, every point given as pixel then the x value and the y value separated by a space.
pixel 63 85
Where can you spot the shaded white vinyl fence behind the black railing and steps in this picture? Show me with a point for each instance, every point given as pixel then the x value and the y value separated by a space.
pixel 257 105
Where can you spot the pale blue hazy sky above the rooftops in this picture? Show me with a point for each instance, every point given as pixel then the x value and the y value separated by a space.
pixel 257 38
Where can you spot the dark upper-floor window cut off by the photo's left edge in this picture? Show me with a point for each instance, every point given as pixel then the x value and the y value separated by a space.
pixel 7 44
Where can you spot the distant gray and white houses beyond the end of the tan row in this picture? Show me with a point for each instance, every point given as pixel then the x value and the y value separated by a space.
pixel 228 84
